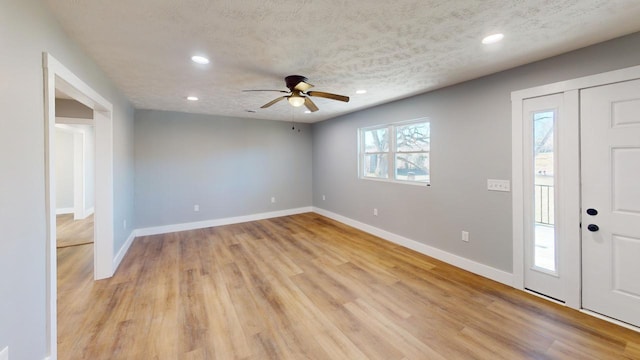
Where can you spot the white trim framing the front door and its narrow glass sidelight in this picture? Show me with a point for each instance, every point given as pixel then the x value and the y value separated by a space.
pixel 570 179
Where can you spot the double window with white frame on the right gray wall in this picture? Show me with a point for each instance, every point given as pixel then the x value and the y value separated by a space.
pixel 396 152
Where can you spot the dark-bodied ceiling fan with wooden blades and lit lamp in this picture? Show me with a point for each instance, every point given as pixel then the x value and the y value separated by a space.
pixel 298 93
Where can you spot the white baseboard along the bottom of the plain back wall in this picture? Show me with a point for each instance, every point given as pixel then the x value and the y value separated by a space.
pixel 219 222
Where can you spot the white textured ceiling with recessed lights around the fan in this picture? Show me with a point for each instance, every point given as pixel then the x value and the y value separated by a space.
pixel 393 49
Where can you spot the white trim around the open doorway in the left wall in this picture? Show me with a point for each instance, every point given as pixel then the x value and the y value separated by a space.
pixel 57 76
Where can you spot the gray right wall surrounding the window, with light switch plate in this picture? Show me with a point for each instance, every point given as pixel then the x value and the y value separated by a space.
pixel 471 142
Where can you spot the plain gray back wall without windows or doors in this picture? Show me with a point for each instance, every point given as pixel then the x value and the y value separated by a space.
pixel 229 166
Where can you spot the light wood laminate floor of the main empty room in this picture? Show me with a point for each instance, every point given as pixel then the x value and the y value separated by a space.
pixel 306 287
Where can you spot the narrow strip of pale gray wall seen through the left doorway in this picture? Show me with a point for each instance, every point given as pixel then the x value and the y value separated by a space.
pixel 64 169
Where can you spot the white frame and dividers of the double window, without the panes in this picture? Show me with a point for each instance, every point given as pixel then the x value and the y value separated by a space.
pixel 391 153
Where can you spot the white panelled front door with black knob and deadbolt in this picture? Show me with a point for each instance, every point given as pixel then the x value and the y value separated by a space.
pixel 610 163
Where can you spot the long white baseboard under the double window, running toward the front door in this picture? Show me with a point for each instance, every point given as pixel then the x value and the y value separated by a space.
pixel 455 260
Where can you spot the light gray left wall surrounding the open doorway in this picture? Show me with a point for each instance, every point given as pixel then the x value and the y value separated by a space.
pixel 26 30
